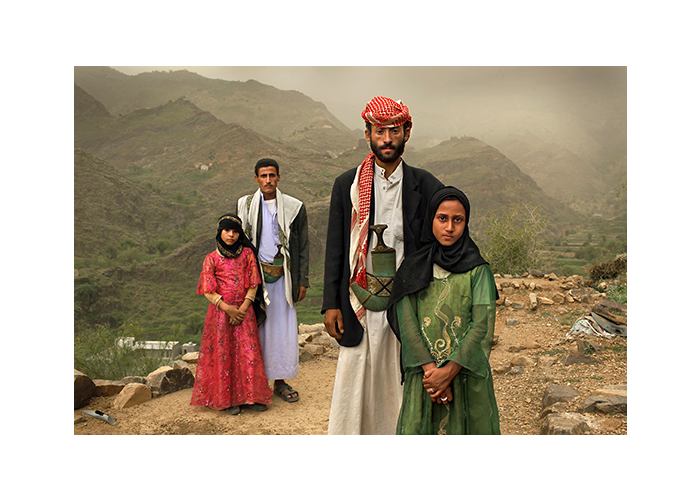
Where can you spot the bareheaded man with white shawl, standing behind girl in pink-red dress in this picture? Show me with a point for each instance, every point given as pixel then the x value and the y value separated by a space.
pixel 277 225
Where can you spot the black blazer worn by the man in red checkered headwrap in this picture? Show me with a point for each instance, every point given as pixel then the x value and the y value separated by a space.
pixel 417 189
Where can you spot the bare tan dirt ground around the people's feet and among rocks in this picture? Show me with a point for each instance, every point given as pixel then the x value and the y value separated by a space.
pixel 539 335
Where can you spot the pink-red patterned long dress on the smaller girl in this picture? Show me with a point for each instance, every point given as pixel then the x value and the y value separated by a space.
pixel 230 370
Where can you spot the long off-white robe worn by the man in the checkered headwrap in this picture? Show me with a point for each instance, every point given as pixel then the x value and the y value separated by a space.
pixel 367 392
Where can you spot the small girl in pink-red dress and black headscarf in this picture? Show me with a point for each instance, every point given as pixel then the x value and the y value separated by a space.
pixel 230 370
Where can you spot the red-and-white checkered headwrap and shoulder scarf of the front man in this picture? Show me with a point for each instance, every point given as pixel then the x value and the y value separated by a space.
pixel 387 113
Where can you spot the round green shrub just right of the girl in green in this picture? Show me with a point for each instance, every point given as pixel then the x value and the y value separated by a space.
pixel 513 239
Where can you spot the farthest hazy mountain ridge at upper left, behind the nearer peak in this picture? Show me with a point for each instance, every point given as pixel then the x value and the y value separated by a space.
pixel 284 115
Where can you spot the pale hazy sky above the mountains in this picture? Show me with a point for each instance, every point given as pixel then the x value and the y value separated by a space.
pixel 446 101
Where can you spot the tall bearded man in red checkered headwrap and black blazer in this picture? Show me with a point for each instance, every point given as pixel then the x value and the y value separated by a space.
pixel 383 189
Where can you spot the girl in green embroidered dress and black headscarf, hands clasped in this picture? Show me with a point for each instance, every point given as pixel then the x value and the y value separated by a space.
pixel 443 309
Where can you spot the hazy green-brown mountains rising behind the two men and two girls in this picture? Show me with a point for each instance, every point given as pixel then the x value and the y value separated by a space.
pixel 160 156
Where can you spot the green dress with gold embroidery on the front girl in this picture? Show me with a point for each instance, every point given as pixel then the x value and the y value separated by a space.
pixel 451 320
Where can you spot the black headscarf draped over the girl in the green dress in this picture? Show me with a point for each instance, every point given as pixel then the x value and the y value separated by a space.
pixel 416 270
